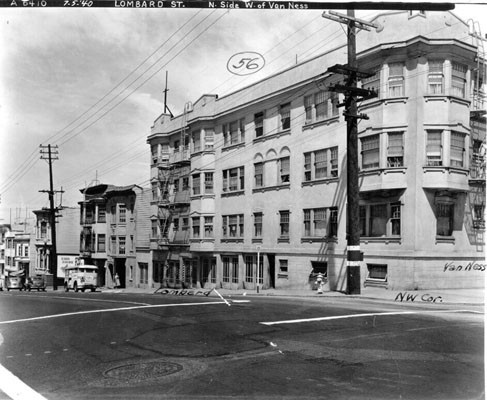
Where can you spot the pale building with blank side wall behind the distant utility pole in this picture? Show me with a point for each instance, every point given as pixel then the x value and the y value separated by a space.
pixel 67 236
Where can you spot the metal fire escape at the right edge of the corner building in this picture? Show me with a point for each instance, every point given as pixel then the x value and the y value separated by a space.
pixel 476 196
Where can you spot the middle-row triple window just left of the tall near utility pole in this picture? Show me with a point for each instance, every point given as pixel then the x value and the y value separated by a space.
pixel 321 164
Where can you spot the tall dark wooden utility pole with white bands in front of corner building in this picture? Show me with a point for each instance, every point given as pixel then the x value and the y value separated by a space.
pixel 351 91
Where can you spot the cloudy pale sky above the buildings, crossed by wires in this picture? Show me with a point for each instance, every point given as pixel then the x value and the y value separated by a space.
pixel 91 82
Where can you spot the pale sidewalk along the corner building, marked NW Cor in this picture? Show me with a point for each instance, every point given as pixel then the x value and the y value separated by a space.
pixel 437 296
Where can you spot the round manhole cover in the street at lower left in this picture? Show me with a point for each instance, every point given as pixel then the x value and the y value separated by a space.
pixel 143 371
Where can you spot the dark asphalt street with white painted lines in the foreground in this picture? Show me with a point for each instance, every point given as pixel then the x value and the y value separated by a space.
pixel 58 345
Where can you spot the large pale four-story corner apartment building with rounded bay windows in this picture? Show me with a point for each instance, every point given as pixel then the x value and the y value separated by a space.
pixel 250 188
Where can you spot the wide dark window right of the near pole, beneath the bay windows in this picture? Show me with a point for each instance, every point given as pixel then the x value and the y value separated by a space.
pixel 380 220
